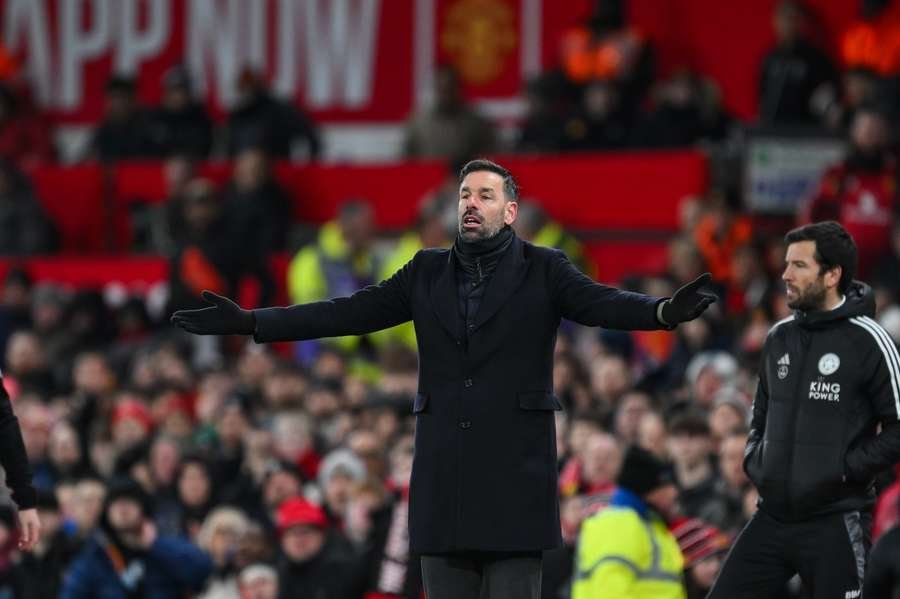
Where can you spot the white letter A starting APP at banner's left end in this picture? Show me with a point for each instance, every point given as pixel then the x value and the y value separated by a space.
pixel 29 18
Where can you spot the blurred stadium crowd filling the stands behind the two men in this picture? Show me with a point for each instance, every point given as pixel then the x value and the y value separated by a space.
pixel 174 465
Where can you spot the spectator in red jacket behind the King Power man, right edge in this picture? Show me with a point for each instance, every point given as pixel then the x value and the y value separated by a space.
pixel 861 191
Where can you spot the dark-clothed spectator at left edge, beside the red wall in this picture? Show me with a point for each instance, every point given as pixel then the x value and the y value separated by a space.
pixel 26 229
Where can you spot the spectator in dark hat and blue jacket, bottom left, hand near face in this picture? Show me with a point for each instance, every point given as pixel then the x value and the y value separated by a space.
pixel 127 557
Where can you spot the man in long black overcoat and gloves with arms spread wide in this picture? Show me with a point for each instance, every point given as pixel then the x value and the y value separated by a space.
pixel 483 495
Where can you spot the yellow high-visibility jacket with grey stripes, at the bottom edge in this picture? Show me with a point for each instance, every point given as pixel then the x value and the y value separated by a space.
pixel 625 555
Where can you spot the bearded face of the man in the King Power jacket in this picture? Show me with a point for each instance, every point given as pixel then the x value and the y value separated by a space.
pixel 807 286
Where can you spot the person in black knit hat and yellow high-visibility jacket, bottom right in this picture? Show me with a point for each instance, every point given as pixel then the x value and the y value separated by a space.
pixel 627 550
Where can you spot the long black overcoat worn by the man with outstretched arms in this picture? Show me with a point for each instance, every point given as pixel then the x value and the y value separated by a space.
pixel 484 473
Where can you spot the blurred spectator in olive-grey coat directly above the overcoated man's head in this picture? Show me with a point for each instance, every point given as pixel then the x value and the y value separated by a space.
pixel 449 129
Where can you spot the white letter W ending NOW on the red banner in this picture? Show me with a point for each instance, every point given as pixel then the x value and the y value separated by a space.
pixel 340 47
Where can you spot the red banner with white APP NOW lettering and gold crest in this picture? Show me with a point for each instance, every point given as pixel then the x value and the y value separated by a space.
pixel 344 60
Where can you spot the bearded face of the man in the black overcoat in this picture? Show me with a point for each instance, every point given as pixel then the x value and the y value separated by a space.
pixel 483 206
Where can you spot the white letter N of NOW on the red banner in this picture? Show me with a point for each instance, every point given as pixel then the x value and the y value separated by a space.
pixel 213 29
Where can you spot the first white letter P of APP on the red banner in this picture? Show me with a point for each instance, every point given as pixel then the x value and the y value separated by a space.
pixel 78 45
